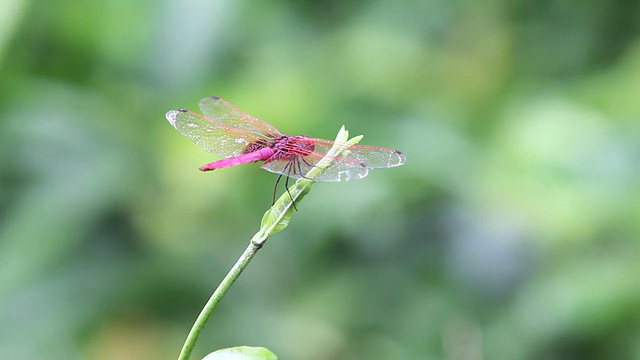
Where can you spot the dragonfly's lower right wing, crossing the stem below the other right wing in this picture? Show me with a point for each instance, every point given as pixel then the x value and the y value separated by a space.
pixel 341 169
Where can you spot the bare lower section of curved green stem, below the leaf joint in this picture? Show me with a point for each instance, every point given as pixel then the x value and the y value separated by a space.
pixel 222 289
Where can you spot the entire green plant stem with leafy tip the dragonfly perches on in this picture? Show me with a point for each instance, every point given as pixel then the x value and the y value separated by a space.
pixel 274 220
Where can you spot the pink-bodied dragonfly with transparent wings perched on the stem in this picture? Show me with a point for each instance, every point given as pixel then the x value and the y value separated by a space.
pixel 239 138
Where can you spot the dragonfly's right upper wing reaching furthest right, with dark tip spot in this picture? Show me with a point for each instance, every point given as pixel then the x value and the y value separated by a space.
pixel 373 156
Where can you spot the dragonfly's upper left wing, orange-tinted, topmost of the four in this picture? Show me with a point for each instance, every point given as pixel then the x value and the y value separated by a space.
pixel 229 115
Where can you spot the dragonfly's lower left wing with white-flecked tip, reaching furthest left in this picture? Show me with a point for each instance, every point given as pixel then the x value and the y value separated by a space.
pixel 209 134
